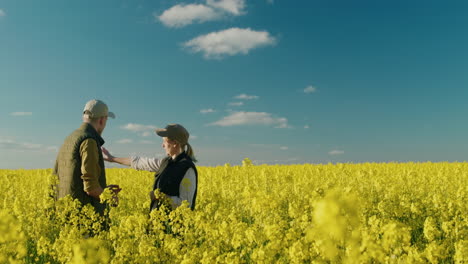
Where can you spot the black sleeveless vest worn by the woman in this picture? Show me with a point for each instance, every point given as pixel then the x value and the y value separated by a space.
pixel 170 178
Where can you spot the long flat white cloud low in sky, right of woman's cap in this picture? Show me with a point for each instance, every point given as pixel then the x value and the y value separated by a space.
pixel 252 118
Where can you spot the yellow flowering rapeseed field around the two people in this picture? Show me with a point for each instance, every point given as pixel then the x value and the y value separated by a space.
pixel 343 213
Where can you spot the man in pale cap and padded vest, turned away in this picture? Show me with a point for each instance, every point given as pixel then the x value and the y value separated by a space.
pixel 80 164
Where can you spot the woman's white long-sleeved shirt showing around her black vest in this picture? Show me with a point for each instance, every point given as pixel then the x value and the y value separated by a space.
pixel 187 187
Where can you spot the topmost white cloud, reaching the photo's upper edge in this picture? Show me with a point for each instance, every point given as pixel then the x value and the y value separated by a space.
pixel 183 15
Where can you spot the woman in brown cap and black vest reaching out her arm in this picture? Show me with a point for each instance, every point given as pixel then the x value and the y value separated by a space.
pixel 176 175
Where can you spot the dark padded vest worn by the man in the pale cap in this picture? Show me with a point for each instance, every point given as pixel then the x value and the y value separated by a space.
pixel 68 167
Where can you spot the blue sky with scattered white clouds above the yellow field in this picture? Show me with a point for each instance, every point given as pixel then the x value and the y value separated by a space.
pixel 276 81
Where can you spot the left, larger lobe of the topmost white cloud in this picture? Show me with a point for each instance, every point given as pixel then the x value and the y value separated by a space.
pixel 182 15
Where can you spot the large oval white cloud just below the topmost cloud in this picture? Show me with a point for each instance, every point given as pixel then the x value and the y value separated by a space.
pixel 229 42
